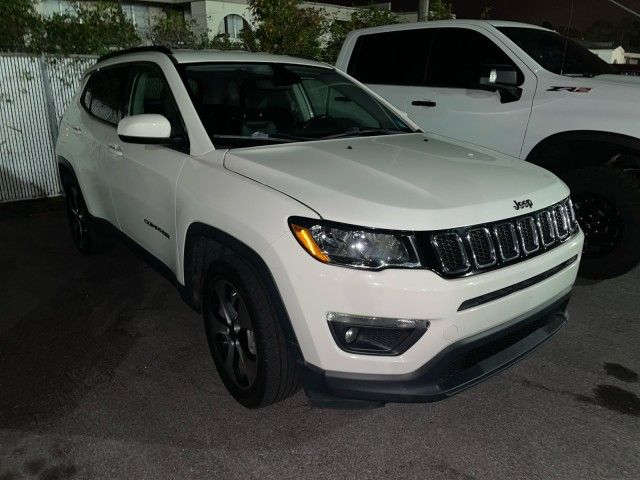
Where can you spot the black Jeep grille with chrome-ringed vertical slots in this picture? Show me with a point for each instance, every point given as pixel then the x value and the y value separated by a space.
pixel 483 247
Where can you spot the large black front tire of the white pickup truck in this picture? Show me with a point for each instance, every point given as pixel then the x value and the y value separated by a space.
pixel 607 203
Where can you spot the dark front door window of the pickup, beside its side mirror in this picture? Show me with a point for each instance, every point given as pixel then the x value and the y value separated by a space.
pixel 456 57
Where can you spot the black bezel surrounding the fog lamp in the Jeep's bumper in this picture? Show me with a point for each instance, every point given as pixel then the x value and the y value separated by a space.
pixel 339 323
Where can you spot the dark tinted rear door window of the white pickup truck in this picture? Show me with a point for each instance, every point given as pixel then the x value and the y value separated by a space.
pixel 391 58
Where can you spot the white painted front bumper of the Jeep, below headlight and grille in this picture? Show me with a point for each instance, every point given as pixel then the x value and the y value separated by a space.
pixel 310 290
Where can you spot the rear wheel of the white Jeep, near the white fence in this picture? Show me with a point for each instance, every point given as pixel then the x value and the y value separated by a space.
pixel 83 232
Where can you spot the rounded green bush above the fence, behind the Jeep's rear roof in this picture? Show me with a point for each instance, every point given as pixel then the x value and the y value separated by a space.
pixel 95 28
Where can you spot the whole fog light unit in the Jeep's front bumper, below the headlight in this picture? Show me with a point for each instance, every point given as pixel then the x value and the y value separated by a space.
pixel 375 335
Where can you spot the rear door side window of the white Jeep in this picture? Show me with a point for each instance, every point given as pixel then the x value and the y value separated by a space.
pixel 104 93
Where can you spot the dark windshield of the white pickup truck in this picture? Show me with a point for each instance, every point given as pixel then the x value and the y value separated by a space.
pixel 556 53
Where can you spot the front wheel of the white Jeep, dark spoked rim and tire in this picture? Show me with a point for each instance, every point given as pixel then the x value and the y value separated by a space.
pixel 246 341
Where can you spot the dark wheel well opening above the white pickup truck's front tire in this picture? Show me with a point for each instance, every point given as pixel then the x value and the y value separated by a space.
pixel 570 150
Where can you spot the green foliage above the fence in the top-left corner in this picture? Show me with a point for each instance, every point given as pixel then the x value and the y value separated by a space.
pixel 19 20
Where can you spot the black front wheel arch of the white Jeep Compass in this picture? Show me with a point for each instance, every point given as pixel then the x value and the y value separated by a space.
pixel 204 246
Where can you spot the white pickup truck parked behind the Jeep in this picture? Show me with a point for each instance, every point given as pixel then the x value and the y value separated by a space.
pixel 527 92
